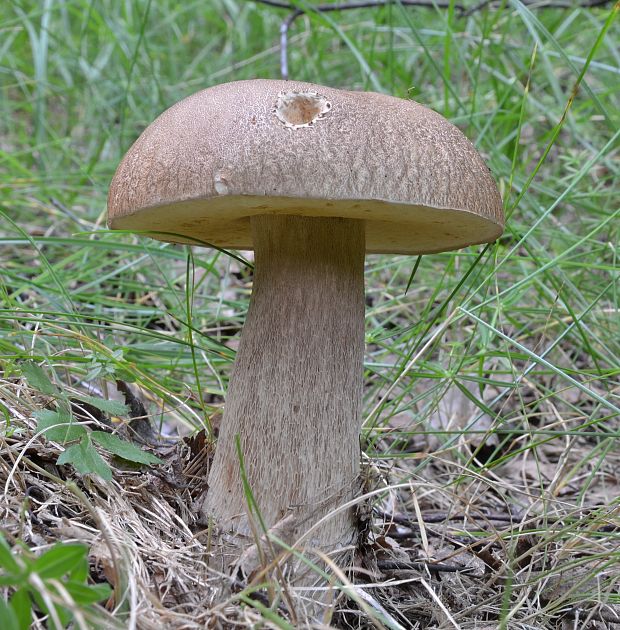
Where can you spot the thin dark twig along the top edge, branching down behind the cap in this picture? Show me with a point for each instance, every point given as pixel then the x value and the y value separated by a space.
pixel 460 10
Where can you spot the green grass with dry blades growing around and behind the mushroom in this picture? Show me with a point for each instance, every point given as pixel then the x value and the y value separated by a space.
pixel 492 373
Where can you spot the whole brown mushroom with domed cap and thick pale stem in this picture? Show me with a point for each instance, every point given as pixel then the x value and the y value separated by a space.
pixel 310 178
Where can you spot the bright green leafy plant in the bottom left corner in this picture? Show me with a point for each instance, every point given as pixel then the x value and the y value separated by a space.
pixel 53 584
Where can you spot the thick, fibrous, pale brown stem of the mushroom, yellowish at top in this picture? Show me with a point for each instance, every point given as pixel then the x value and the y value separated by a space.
pixel 295 393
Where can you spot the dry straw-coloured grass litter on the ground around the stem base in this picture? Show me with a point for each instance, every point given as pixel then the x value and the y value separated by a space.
pixel 461 543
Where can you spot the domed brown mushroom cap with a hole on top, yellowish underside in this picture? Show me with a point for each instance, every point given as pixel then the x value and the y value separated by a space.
pixel 214 159
